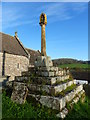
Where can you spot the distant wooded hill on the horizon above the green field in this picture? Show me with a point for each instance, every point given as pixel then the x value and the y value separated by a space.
pixel 68 61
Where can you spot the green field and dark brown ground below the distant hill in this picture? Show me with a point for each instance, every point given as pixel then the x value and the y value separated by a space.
pixel 79 71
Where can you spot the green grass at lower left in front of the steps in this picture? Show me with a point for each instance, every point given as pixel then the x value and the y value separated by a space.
pixel 27 110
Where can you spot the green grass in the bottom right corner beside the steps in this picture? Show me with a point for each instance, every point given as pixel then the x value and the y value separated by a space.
pixel 80 111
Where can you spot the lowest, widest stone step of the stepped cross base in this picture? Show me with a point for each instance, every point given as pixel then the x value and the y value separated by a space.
pixel 59 102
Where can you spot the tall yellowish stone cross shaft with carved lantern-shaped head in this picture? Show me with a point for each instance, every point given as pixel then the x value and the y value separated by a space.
pixel 43 22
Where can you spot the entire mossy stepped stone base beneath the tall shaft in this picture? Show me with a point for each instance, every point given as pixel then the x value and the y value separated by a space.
pixel 51 86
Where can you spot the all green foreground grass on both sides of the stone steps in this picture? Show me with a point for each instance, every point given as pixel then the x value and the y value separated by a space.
pixel 29 110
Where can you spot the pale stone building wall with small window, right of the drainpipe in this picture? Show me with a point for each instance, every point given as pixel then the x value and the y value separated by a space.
pixel 14 65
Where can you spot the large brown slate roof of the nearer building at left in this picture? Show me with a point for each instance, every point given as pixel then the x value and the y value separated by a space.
pixel 12 45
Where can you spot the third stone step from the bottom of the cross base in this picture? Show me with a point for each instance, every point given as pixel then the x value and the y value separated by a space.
pixel 42 80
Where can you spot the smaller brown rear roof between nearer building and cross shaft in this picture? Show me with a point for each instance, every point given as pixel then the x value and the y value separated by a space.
pixel 33 55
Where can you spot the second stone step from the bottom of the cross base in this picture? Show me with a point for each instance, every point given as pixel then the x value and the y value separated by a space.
pixel 52 90
